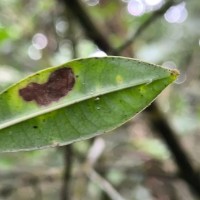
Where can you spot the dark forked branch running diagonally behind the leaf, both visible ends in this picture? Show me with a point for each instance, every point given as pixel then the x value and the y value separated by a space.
pixel 169 137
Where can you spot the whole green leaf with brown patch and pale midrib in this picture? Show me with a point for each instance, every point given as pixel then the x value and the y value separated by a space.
pixel 99 94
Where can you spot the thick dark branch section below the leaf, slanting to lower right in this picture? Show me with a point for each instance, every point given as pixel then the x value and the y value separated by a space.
pixel 187 171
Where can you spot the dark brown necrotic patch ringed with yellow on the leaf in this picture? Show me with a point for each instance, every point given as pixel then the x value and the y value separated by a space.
pixel 60 82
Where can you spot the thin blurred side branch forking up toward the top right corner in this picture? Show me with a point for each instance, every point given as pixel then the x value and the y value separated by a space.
pixel 157 14
